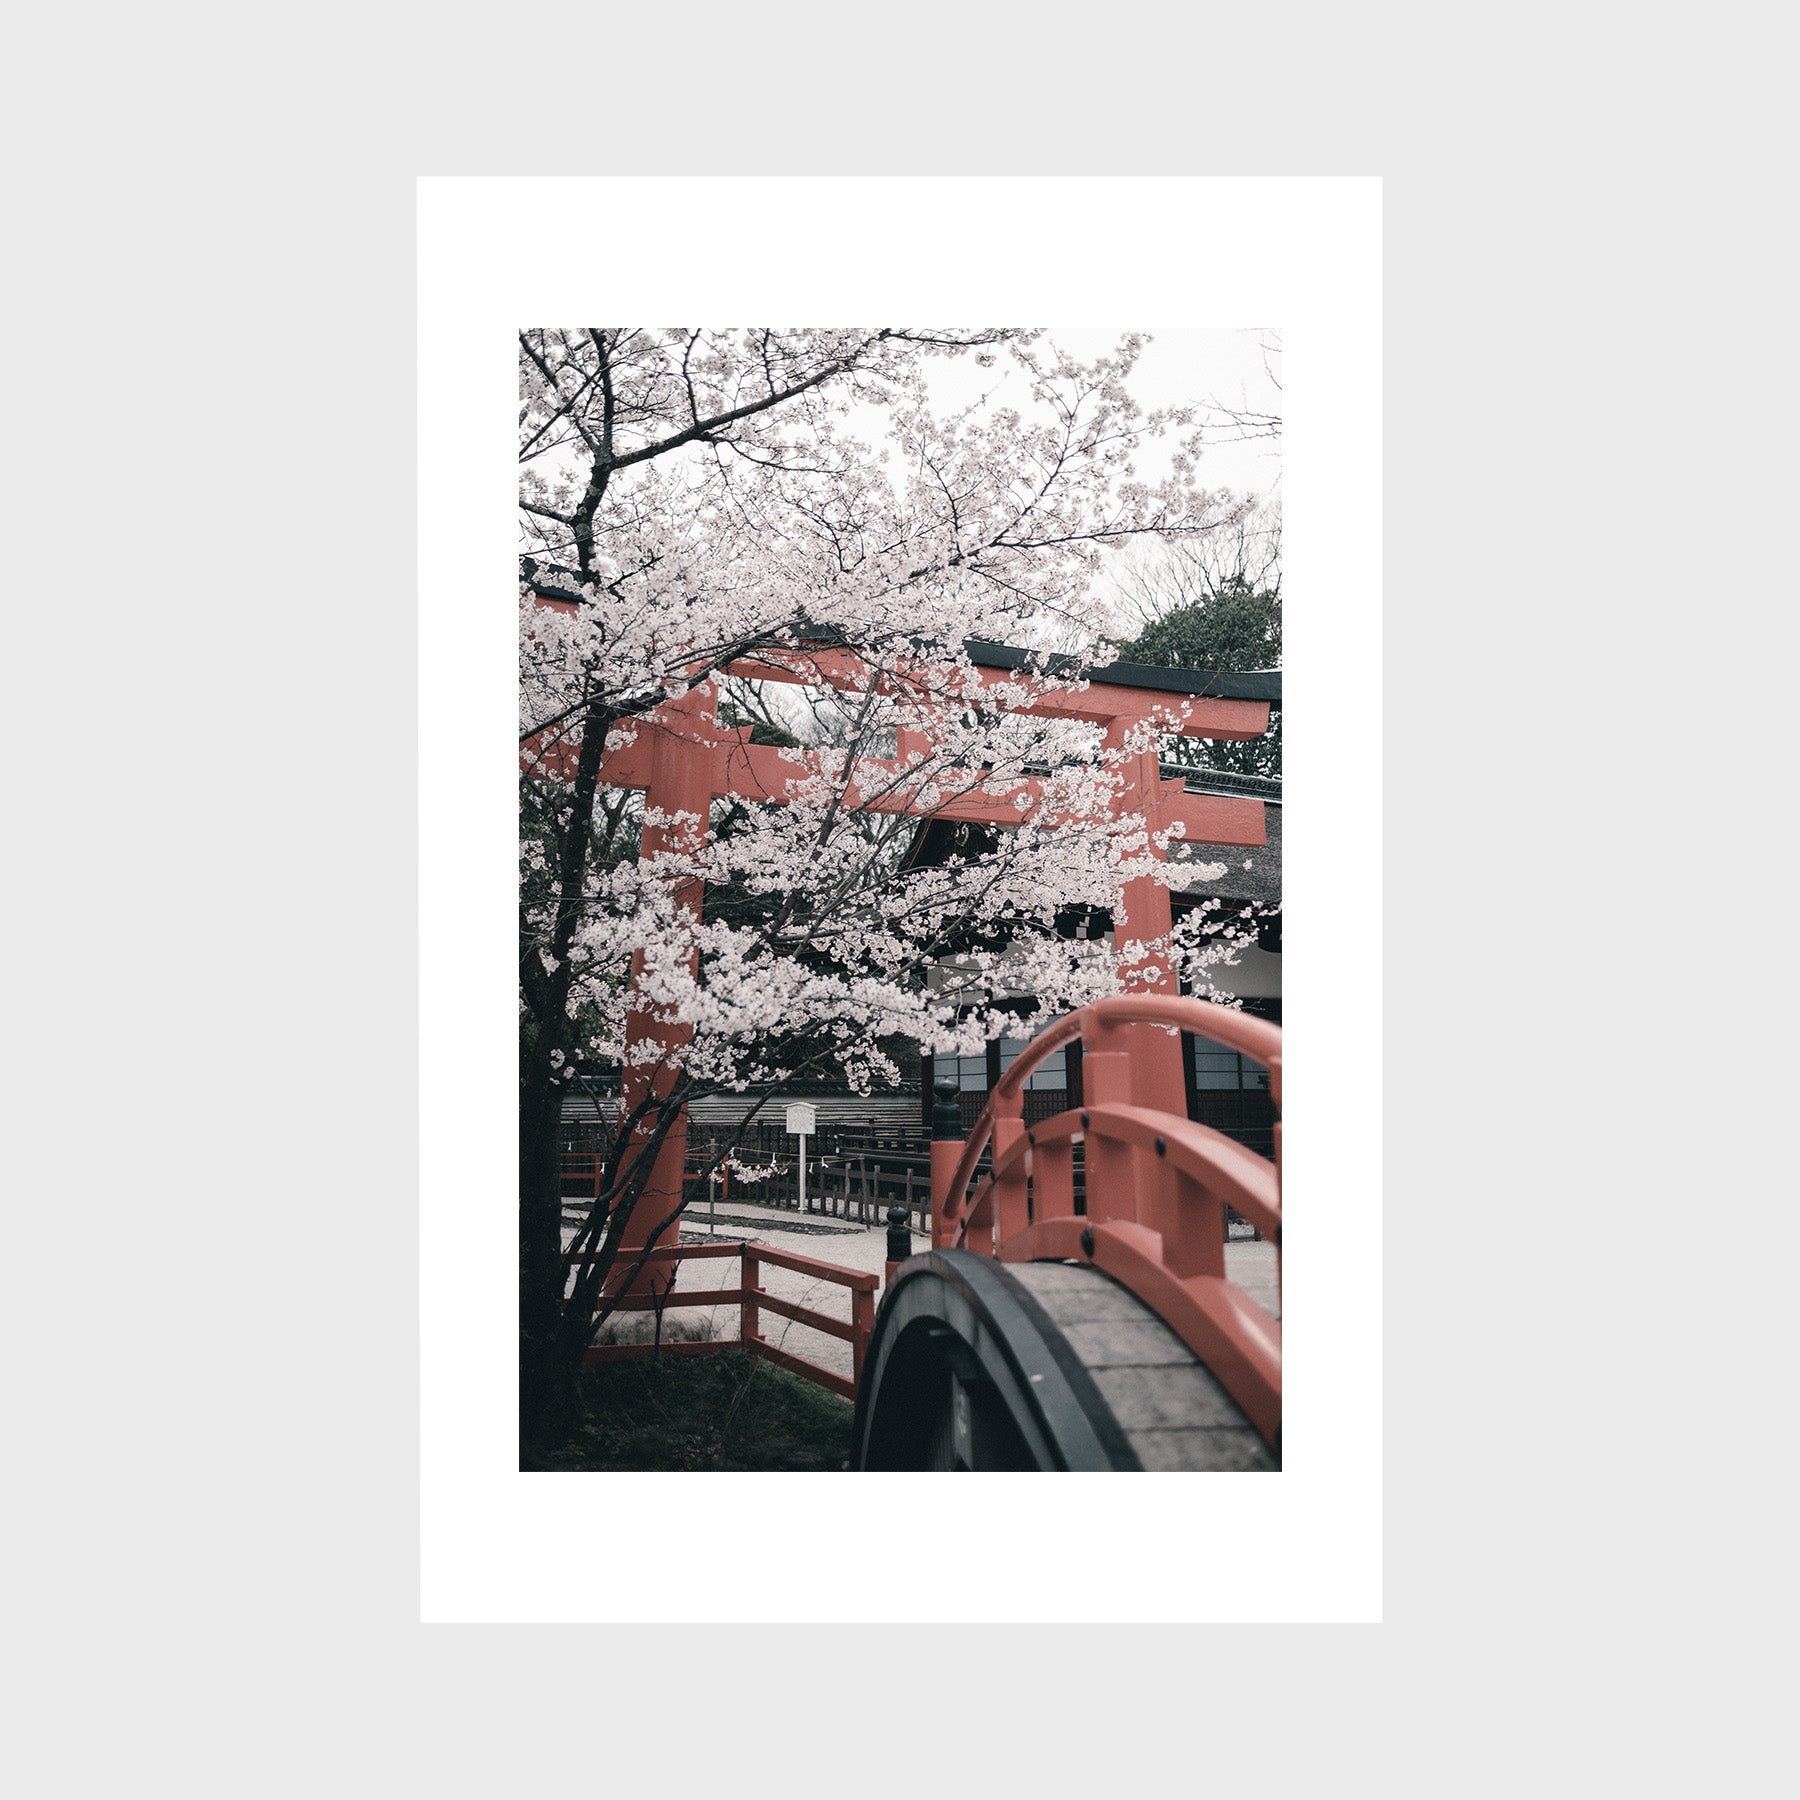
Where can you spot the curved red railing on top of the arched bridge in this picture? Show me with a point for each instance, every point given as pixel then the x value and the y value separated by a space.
pixel 1156 1185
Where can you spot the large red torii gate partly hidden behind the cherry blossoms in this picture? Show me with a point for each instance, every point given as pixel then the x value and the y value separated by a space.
pixel 683 759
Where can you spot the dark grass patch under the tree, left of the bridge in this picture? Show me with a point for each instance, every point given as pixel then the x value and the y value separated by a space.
pixel 703 1412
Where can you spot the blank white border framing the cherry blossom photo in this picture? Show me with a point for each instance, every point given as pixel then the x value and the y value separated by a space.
pixel 1302 255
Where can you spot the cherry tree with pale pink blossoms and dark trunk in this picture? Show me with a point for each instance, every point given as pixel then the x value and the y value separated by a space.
pixel 784 528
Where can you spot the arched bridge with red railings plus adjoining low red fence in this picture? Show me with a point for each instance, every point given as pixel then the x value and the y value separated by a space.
pixel 1075 1309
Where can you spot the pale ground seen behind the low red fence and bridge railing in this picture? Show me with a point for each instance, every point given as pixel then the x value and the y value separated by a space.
pixel 1250 1263
